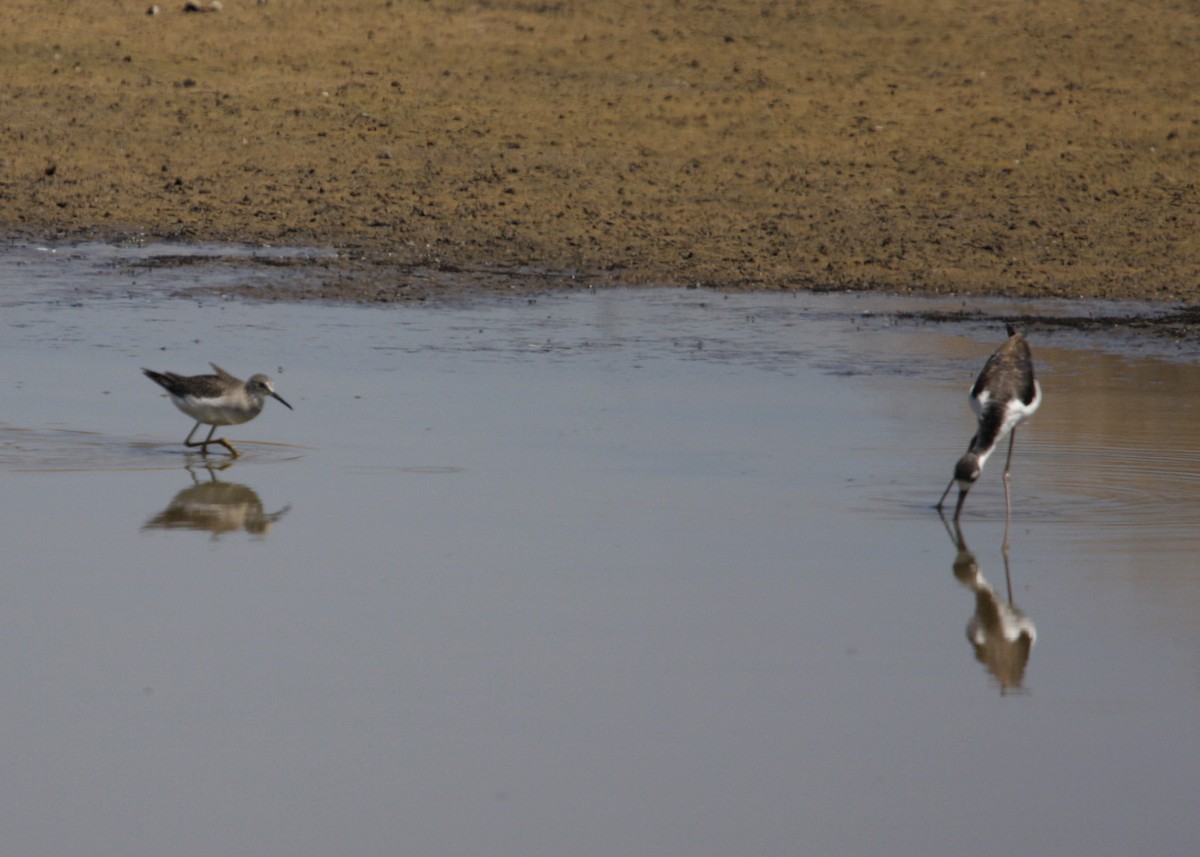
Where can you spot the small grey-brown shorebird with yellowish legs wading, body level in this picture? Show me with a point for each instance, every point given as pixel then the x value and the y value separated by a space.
pixel 217 400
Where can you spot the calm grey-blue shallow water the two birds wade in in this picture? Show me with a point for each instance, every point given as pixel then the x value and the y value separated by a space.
pixel 635 572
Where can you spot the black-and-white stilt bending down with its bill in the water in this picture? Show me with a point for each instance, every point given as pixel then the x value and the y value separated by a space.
pixel 1005 395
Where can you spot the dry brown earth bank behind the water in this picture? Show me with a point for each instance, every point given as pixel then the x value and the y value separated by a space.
pixel 1010 147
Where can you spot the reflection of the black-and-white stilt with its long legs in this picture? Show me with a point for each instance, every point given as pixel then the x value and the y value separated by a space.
pixel 1003 637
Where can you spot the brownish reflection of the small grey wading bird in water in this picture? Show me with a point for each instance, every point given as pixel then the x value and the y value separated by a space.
pixel 215 507
